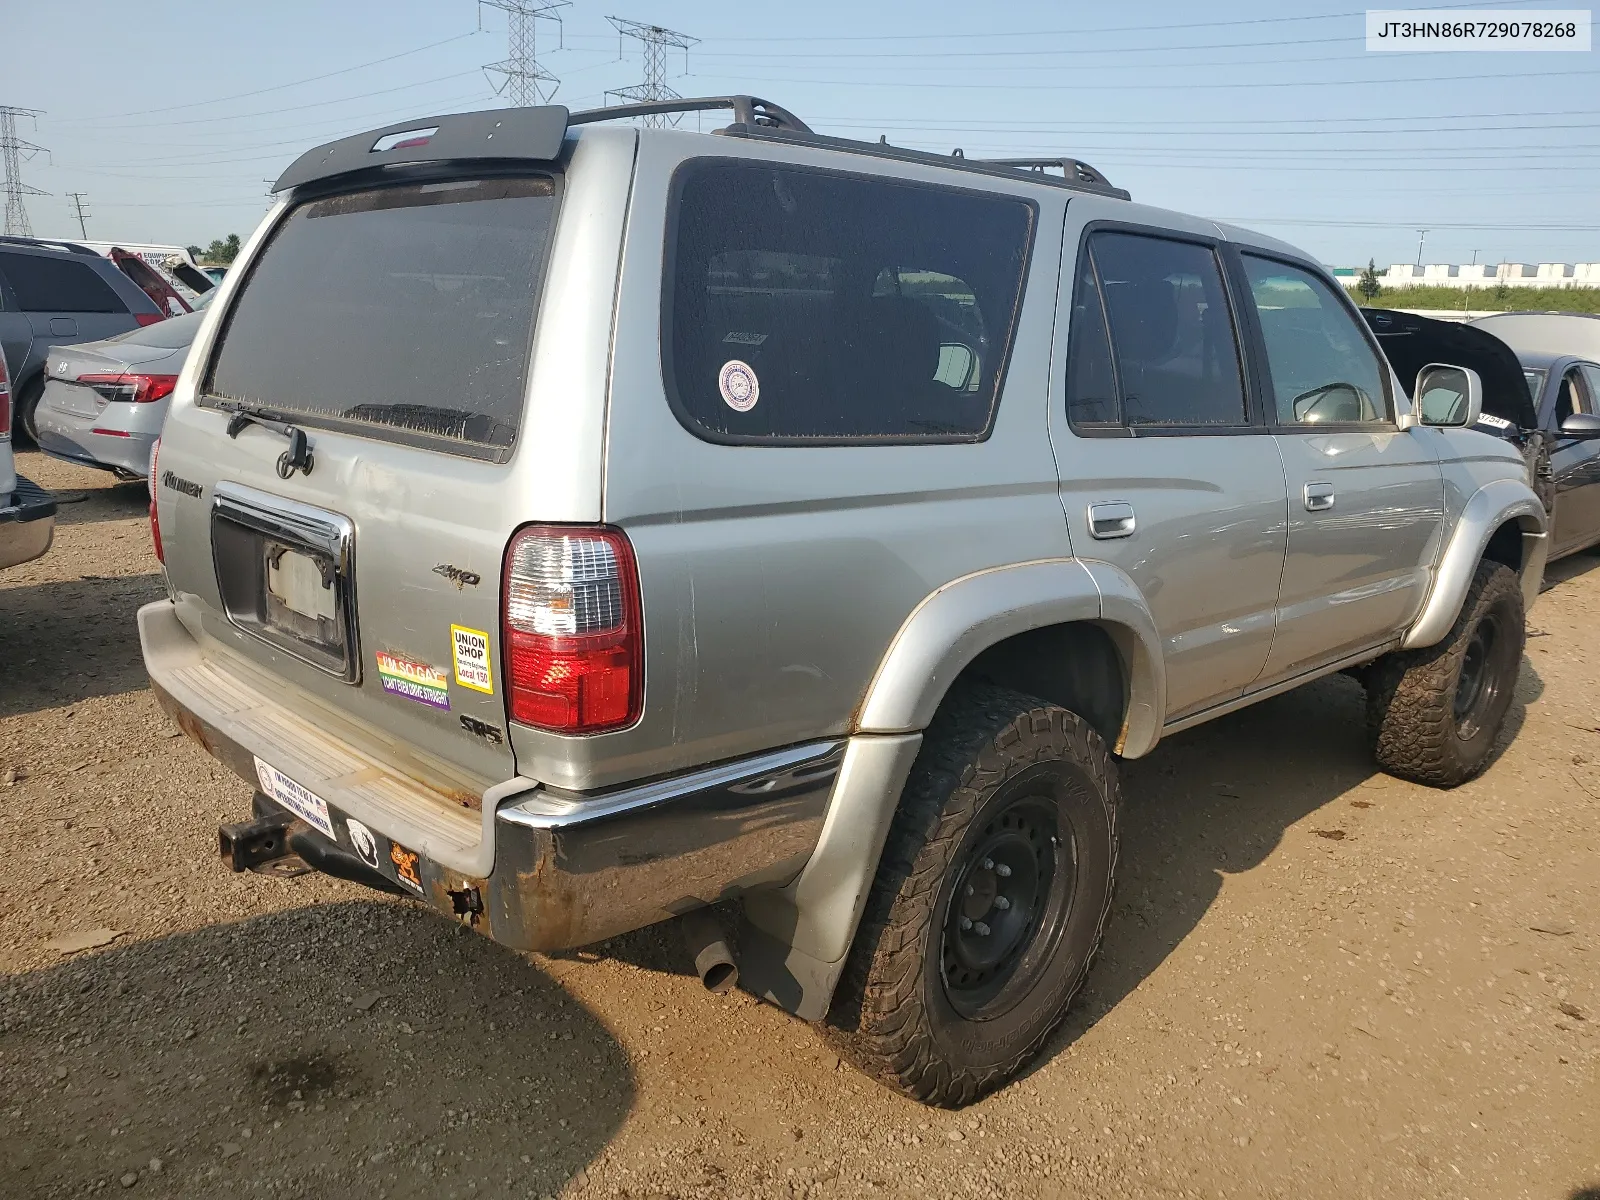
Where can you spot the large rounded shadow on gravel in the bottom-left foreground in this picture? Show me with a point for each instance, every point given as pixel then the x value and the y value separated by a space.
pixel 354 1049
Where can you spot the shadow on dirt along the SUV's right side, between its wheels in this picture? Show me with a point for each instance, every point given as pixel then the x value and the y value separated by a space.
pixel 1218 801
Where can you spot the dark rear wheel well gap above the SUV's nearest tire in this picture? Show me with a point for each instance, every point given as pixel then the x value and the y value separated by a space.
pixel 1074 665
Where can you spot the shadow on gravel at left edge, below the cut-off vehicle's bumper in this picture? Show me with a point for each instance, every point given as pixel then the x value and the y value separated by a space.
pixel 70 641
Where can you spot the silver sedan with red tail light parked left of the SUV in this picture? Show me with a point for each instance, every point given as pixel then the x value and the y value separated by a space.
pixel 105 402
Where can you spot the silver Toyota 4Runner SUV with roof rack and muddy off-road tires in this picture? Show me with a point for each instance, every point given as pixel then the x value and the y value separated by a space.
pixel 575 526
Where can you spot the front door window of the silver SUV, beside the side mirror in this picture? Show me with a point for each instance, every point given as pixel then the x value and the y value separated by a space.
pixel 1324 372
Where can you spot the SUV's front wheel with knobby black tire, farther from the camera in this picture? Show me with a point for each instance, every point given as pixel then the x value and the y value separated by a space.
pixel 1434 714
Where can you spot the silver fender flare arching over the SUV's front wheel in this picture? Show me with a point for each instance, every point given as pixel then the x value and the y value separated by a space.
pixel 1489 508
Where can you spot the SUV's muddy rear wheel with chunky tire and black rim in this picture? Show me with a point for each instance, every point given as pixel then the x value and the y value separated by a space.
pixel 998 770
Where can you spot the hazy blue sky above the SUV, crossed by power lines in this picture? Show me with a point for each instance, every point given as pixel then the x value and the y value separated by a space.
pixel 1268 114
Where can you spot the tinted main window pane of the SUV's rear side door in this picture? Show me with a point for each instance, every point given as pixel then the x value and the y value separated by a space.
pixel 1172 332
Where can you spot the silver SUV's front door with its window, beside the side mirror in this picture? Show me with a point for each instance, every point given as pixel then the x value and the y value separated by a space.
pixel 1366 500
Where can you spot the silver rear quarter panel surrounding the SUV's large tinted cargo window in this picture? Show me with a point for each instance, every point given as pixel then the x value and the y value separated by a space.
pixel 775 578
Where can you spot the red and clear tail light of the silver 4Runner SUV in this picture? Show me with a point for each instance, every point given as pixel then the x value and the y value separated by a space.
pixel 574 630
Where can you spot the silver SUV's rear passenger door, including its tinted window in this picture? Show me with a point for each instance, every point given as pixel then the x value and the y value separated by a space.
pixel 1166 468
